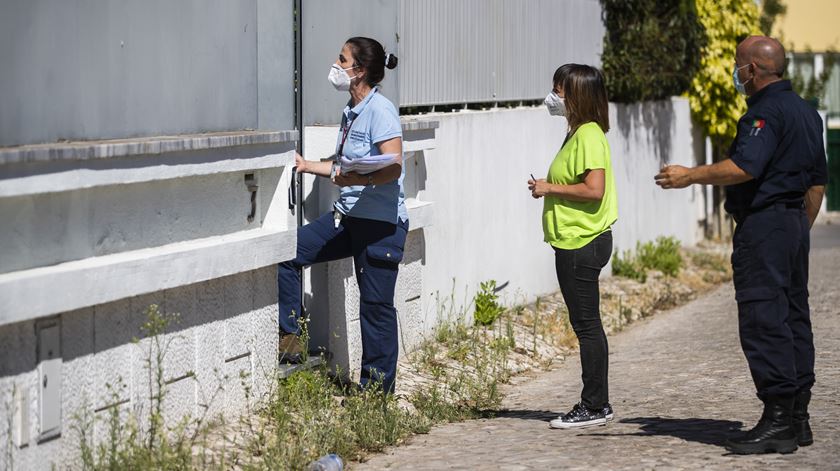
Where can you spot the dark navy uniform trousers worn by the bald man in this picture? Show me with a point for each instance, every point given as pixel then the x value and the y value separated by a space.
pixel 770 265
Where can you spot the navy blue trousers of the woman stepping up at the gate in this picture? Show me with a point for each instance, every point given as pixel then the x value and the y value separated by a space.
pixel 376 248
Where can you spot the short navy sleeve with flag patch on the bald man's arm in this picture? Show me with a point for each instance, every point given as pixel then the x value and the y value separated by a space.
pixel 756 143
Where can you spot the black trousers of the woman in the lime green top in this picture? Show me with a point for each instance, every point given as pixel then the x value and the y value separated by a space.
pixel 577 272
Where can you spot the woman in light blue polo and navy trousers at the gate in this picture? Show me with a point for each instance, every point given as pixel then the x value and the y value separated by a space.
pixel 369 221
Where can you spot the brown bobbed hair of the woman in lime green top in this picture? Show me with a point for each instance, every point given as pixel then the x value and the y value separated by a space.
pixel 586 97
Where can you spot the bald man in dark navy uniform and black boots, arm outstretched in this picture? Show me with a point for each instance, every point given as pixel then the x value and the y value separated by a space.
pixel 775 177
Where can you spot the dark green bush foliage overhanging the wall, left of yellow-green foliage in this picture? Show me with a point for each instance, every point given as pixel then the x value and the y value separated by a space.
pixel 651 48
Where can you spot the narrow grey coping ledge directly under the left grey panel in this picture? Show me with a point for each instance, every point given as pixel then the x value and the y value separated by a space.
pixel 114 148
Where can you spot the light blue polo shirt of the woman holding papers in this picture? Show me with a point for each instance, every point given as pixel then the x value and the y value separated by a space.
pixel 373 120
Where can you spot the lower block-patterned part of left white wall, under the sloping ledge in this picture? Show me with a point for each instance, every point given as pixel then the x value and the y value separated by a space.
pixel 227 328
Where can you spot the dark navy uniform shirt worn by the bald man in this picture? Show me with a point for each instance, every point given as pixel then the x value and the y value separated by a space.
pixel 780 144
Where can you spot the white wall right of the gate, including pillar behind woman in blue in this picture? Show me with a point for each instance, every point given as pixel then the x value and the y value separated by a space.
pixel 485 225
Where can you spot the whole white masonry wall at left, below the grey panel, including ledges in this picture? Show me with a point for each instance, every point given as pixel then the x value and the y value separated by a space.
pixel 94 233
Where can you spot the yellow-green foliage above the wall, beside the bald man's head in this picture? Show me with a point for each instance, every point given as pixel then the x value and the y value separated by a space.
pixel 715 104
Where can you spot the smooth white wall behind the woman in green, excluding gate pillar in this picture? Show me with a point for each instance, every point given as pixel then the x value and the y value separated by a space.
pixel 487 226
